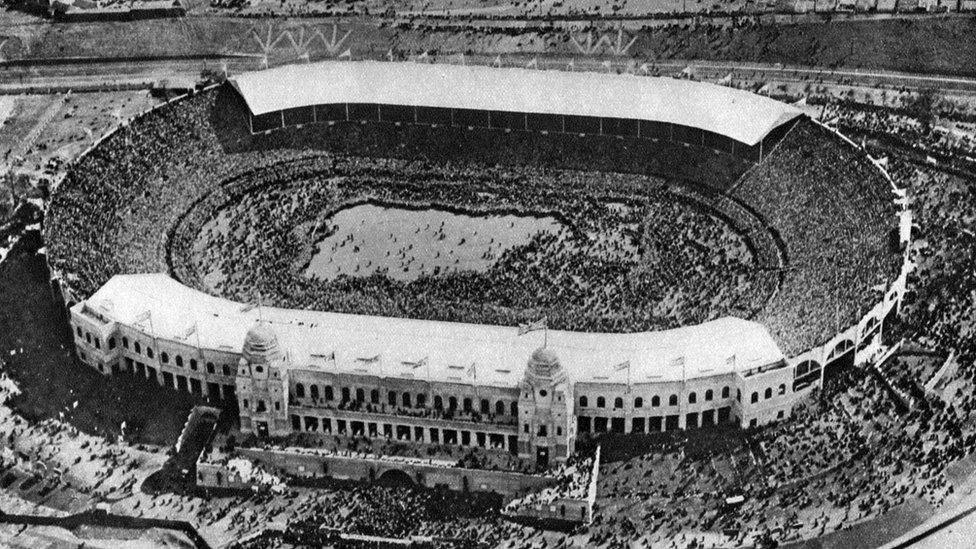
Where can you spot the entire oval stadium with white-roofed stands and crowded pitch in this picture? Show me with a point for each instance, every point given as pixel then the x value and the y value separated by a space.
pixel 661 254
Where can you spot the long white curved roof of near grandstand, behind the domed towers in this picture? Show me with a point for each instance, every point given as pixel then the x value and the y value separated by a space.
pixel 184 315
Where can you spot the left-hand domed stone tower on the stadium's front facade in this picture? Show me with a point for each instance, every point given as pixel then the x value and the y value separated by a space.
pixel 261 382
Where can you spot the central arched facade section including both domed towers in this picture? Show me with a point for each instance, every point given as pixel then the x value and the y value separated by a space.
pixel 538 425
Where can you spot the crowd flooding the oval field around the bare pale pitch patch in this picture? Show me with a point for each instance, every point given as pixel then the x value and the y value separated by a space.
pixel 645 262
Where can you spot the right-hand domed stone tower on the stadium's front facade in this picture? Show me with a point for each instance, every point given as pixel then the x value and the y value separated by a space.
pixel 546 432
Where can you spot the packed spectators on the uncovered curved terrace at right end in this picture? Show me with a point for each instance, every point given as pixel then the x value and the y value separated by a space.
pixel 836 214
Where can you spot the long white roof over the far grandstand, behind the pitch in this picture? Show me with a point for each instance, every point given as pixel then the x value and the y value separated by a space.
pixel 740 115
